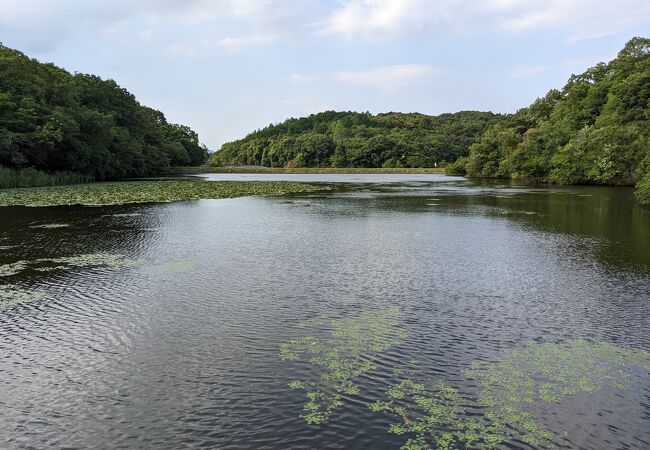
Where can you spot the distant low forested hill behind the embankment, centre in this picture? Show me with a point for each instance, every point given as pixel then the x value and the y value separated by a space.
pixel 350 139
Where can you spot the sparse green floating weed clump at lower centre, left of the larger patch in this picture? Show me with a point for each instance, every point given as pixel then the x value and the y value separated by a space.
pixel 350 350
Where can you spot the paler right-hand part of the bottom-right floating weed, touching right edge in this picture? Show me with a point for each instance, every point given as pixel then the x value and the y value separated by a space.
pixel 550 372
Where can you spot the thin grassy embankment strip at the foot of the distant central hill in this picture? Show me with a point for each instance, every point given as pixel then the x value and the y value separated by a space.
pixel 303 170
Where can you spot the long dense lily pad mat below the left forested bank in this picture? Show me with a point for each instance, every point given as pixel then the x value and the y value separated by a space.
pixel 119 193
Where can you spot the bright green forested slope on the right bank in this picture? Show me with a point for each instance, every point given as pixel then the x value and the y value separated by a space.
pixel 596 130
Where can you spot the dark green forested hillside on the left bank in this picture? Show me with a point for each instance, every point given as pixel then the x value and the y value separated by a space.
pixel 51 120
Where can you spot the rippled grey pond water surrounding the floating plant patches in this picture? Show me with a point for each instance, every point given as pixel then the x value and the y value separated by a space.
pixel 160 325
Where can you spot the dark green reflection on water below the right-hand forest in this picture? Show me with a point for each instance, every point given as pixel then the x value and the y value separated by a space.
pixel 615 226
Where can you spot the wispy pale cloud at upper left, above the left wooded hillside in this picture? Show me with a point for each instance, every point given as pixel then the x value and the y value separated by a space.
pixel 42 24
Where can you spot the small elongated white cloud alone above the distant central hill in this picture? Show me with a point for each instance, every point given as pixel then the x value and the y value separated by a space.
pixel 388 77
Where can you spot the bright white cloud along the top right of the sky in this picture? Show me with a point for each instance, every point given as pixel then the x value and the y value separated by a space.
pixel 393 19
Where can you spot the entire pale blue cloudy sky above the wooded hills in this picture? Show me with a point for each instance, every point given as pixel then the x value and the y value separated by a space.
pixel 226 67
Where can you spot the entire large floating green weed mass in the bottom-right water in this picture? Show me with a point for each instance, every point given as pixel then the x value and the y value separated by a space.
pixel 509 389
